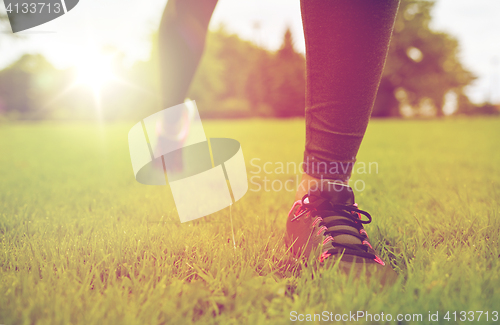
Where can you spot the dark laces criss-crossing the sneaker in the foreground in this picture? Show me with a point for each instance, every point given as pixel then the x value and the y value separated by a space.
pixel 333 215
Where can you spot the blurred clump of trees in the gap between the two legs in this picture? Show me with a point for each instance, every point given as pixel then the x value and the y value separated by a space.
pixel 237 78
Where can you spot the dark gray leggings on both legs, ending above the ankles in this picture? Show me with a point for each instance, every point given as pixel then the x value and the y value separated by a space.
pixel 346 48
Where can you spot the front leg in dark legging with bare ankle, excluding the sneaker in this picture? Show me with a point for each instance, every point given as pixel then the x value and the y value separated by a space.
pixel 346 47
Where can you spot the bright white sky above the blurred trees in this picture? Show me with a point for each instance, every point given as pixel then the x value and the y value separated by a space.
pixel 128 25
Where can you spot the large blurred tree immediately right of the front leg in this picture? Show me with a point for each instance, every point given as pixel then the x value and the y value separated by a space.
pixel 422 64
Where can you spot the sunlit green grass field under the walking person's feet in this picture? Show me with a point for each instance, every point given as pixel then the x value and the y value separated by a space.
pixel 81 242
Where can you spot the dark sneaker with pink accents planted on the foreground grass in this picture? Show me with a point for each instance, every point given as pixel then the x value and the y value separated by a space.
pixel 328 217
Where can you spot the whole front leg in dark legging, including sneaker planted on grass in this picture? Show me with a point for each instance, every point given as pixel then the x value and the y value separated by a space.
pixel 346 48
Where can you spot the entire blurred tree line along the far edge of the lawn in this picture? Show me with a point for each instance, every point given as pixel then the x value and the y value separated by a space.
pixel 237 78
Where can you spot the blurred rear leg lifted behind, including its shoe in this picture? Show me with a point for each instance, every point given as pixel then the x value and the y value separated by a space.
pixel 182 34
